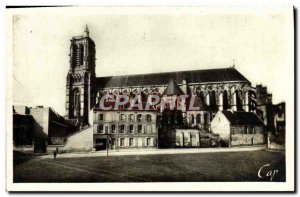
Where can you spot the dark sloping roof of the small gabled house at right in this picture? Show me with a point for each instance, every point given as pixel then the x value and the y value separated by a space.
pixel 243 118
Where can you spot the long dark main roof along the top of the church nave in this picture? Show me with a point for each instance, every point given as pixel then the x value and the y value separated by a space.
pixel 194 76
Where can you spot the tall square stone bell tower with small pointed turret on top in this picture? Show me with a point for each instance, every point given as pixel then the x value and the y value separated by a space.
pixel 80 78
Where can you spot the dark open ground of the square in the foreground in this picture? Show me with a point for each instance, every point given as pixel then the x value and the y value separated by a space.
pixel 198 167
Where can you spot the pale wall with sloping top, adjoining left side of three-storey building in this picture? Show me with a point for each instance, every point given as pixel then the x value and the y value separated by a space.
pixel 80 141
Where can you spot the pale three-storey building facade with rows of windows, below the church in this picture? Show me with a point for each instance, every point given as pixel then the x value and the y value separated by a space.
pixel 124 129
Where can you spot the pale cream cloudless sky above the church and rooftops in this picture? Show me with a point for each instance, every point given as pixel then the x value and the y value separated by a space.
pixel 258 40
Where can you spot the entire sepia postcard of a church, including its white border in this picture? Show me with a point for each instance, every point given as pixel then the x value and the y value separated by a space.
pixel 150 98
